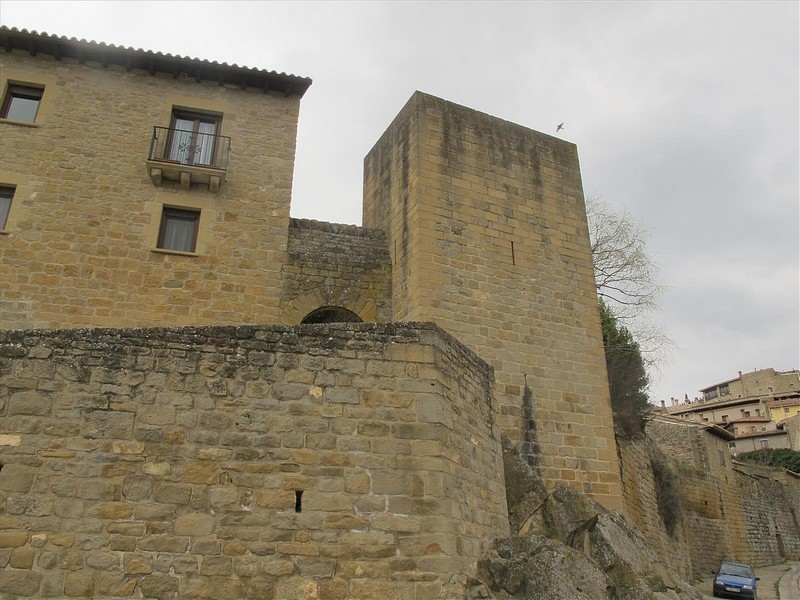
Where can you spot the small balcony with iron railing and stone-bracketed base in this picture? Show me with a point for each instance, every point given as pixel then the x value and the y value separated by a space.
pixel 188 157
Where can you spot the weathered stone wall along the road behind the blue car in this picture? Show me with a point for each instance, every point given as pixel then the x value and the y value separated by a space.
pixel 726 510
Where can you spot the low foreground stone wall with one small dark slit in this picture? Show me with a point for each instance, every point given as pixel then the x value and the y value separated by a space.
pixel 319 461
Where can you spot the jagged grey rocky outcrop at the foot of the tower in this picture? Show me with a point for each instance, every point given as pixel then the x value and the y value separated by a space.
pixel 567 547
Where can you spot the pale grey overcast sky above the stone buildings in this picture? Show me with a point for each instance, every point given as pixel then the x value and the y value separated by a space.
pixel 685 115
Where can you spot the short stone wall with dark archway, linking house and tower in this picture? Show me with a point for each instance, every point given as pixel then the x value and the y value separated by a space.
pixel 329 264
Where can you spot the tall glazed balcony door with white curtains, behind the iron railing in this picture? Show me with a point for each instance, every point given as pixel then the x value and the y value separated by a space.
pixel 193 138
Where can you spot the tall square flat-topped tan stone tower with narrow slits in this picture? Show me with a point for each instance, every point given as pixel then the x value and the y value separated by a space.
pixel 487 232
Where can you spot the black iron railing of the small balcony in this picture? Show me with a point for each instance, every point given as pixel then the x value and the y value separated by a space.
pixel 193 148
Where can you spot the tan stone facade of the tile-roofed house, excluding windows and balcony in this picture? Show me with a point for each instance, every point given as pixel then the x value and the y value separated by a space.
pixel 79 248
